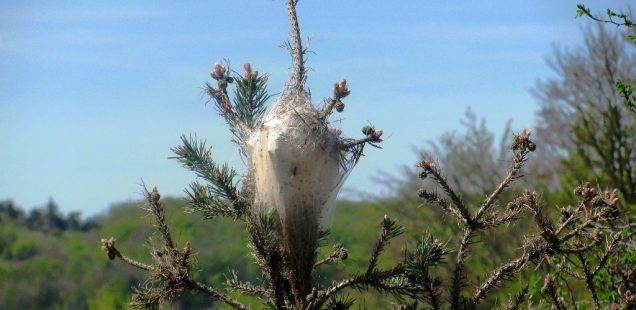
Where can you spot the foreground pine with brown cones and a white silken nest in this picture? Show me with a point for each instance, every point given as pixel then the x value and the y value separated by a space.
pixel 296 165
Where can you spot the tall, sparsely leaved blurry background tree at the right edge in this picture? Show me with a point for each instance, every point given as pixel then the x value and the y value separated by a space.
pixel 583 100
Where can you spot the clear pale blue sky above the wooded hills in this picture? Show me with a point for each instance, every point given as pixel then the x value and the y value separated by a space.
pixel 93 95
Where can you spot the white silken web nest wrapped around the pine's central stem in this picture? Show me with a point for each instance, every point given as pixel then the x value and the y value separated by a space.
pixel 296 164
